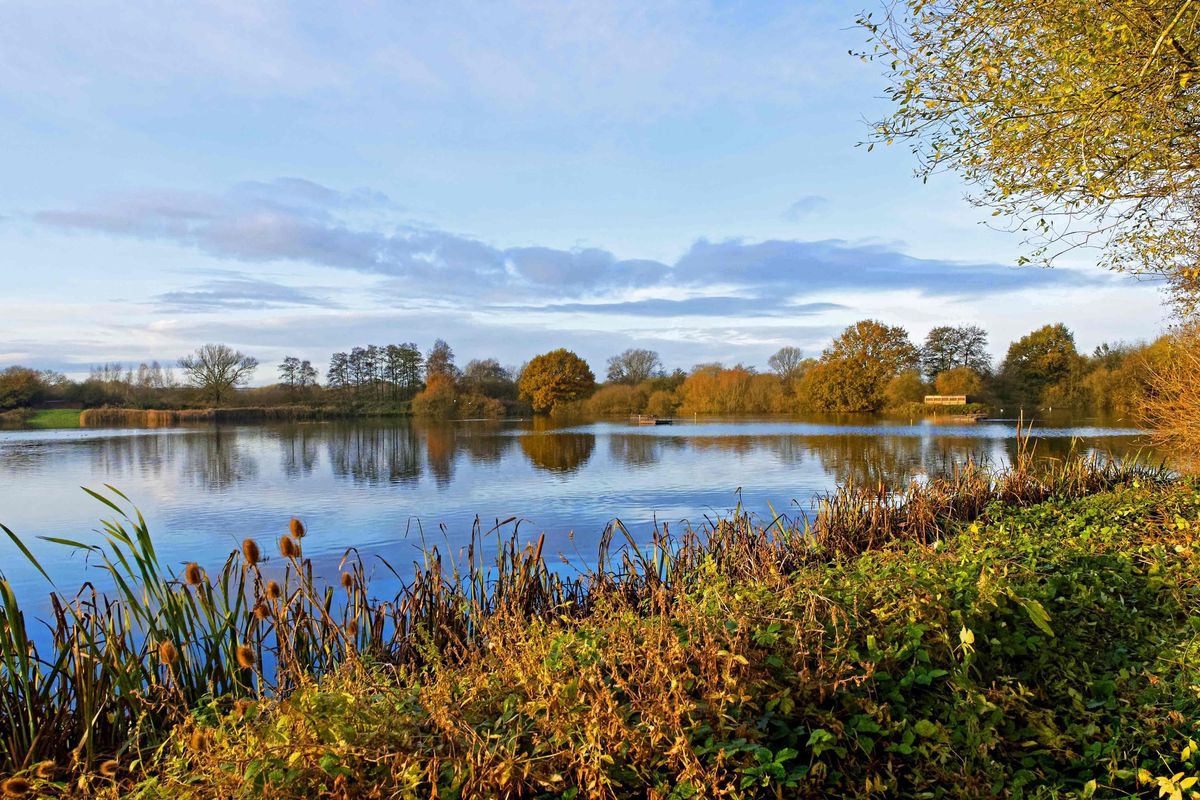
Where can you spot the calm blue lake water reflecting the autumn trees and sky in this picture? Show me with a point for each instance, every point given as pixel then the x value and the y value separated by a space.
pixel 383 486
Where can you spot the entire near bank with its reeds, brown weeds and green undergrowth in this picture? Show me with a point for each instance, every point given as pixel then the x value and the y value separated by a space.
pixel 1027 635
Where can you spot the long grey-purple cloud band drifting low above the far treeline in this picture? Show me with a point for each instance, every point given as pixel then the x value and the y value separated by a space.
pixel 292 220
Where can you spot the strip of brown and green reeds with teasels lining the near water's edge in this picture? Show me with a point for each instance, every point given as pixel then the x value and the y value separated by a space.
pixel 125 669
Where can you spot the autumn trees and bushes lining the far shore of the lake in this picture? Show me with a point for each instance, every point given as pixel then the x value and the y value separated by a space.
pixel 871 368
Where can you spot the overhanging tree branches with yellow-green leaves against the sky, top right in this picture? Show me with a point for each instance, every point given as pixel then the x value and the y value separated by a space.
pixel 1084 111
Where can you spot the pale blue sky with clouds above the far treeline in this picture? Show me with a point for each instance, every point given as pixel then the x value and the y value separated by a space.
pixel 299 178
